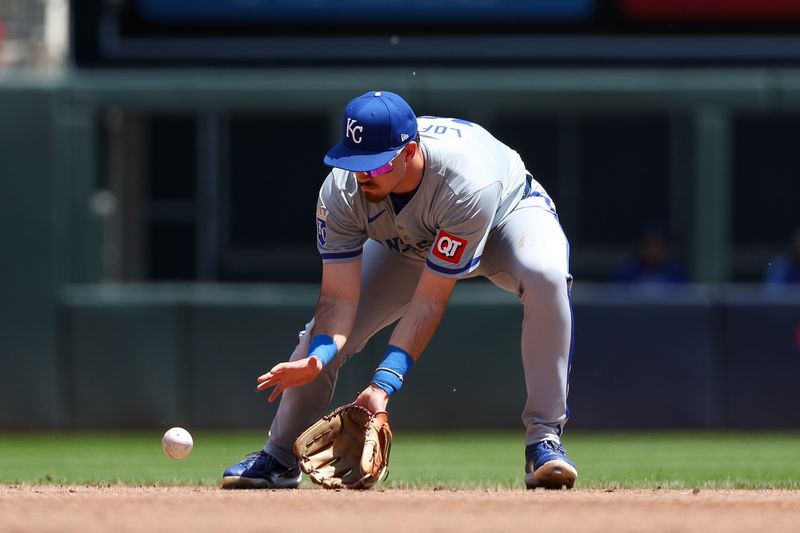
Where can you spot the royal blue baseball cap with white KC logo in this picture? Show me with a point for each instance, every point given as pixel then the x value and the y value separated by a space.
pixel 376 126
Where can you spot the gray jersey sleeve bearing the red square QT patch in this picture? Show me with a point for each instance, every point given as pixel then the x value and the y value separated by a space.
pixel 468 220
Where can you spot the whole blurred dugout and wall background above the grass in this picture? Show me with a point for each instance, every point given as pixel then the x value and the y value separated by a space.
pixel 159 163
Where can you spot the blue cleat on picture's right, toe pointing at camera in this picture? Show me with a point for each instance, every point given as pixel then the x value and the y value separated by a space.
pixel 547 466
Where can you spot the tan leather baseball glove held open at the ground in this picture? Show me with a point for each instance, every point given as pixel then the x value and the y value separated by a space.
pixel 348 448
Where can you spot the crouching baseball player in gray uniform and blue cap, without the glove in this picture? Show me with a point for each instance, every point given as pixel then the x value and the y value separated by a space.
pixel 411 206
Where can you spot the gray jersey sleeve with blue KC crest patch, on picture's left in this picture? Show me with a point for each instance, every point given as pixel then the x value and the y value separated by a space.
pixel 340 234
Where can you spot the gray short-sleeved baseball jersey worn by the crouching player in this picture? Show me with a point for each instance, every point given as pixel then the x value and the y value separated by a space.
pixel 471 183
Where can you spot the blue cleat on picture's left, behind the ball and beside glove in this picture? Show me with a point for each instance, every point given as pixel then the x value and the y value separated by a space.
pixel 259 470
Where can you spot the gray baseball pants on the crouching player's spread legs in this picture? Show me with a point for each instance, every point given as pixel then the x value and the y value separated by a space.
pixel 526 255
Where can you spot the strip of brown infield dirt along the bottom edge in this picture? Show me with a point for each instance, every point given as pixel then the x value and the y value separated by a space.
pixel 186 509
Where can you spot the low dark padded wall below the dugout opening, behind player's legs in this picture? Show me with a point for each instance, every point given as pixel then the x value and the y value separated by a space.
pixel 161 356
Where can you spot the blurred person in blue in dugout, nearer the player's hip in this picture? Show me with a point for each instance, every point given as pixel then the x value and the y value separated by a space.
pixel 652 264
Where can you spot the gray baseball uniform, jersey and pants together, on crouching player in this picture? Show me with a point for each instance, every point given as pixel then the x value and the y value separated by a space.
pixel 475 201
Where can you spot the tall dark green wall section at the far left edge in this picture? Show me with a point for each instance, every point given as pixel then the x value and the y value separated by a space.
pixel 28 287
